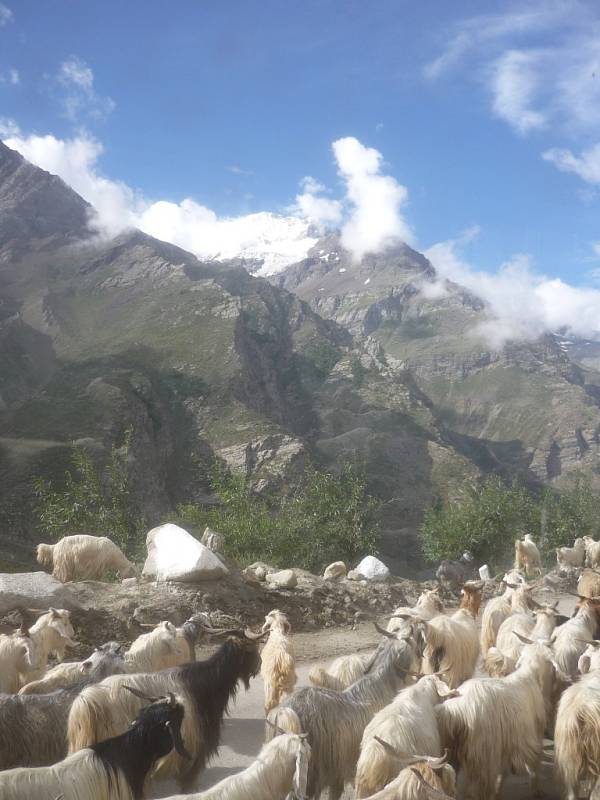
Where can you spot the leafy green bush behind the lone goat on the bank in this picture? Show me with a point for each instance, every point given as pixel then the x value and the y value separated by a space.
pixel 92 500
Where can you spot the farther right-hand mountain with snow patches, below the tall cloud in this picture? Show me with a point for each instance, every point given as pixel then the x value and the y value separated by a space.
pixel 533 406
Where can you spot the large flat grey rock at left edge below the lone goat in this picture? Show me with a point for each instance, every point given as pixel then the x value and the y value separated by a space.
pixel 34 590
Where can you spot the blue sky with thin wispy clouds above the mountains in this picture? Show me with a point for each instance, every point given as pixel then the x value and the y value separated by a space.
pixel 231 104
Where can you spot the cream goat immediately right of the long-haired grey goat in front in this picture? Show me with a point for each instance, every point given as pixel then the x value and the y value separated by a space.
pixel 408 725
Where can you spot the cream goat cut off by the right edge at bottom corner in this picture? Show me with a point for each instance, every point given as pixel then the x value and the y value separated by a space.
pixel 577 730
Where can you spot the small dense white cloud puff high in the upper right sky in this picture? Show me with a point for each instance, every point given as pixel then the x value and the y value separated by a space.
pixel 514 83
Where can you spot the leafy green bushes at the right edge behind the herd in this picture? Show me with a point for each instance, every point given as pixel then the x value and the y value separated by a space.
pixel 492 515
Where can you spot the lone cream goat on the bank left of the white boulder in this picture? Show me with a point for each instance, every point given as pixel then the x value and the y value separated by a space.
pixel 84 557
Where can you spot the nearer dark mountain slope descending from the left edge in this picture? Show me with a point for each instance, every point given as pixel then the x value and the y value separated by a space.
pixel 201 361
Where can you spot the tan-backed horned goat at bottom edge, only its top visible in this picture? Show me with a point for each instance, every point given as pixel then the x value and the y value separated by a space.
pixel 420 778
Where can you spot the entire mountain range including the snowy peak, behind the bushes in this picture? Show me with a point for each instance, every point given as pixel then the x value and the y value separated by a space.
pixel 326 359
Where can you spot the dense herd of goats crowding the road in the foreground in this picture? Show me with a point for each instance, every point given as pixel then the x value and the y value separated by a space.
pixel 440 693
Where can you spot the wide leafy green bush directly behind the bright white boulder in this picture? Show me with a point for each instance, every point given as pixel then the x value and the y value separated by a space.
pixel 326 518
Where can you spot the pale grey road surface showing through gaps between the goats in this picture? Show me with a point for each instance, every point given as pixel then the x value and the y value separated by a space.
pixel 243 731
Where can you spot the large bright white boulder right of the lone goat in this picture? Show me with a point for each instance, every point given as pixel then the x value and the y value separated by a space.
pixel 174 555
